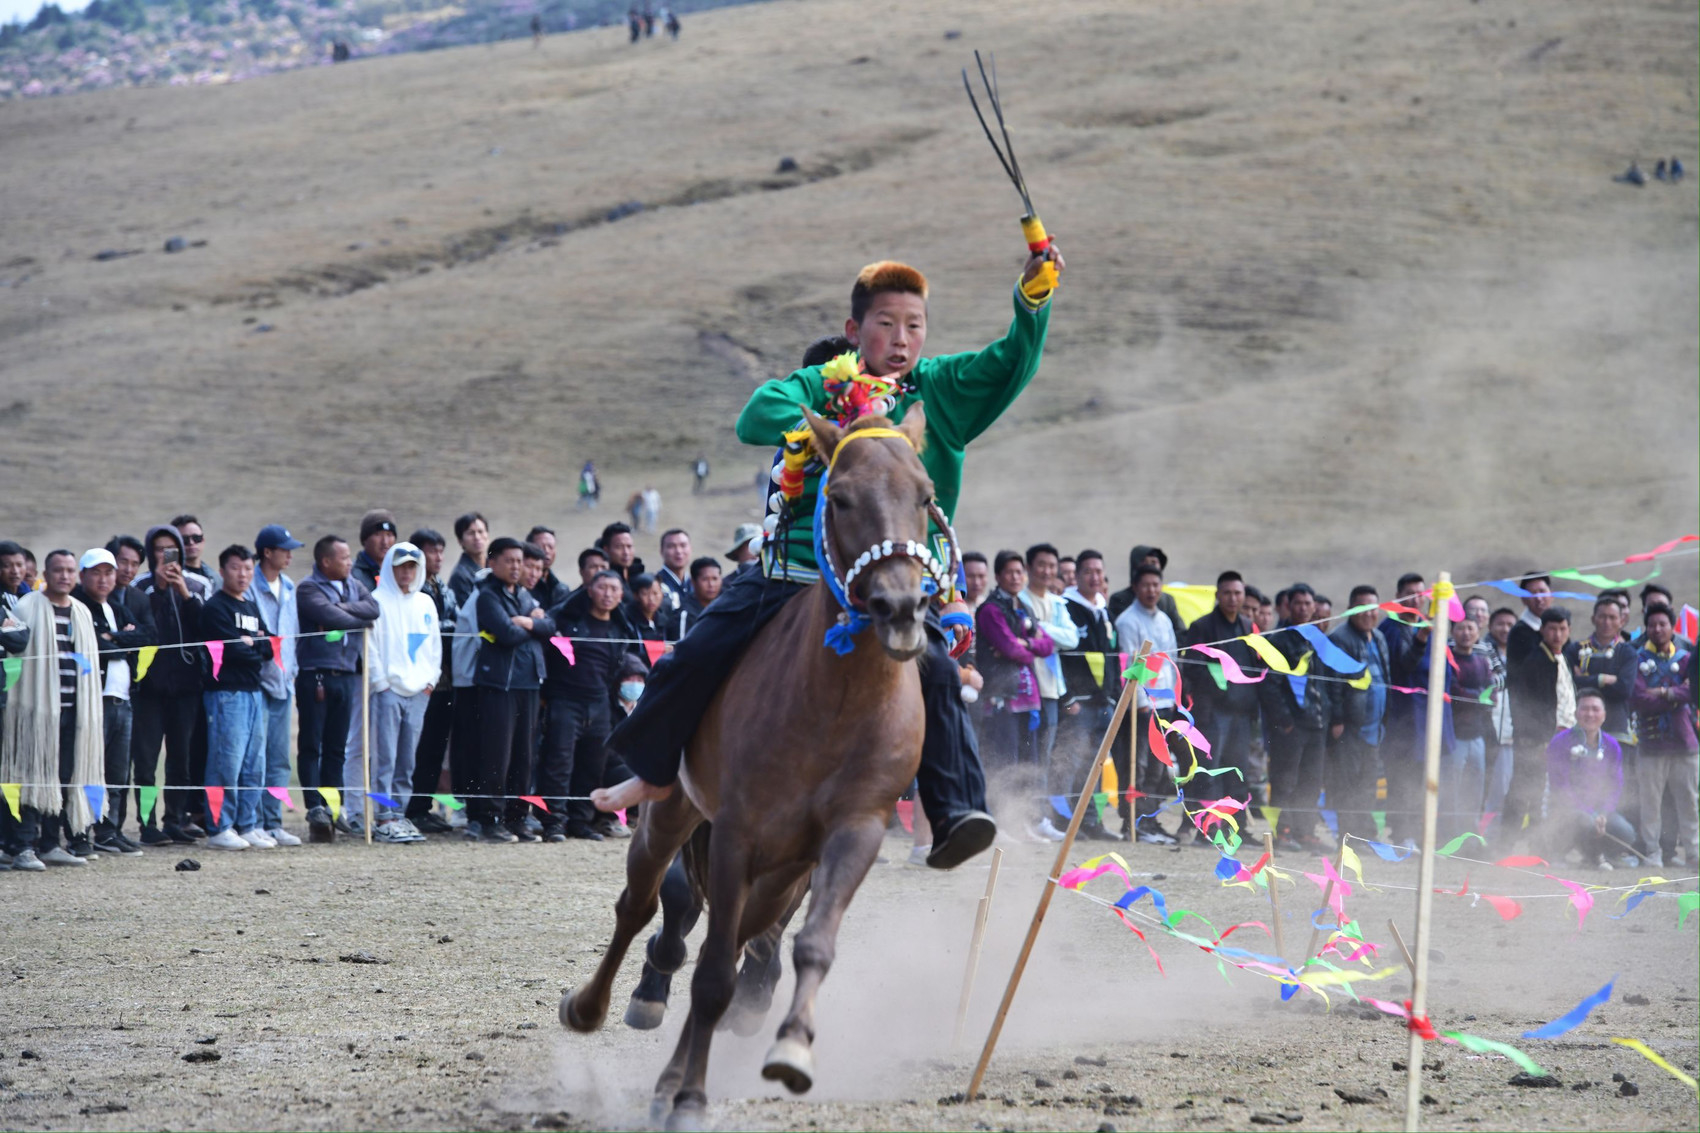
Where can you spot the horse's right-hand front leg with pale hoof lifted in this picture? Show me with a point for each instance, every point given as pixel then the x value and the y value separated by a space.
pixel 846 860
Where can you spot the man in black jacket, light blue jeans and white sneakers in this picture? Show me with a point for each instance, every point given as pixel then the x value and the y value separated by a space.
pixel 235 705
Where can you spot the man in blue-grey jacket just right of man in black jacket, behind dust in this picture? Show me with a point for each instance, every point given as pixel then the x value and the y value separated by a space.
pixel 1356 734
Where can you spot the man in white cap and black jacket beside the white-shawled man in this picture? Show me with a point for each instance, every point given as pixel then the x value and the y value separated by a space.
pixel 120 641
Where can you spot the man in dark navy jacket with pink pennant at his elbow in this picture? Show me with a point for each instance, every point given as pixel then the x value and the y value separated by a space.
pixel 509 673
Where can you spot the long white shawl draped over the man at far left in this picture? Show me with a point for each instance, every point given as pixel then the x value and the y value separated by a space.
pixel 33 717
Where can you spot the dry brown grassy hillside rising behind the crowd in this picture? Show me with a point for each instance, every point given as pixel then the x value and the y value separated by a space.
pixel 1351 285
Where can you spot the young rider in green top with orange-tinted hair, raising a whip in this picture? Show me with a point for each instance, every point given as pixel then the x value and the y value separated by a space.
pixel 965 396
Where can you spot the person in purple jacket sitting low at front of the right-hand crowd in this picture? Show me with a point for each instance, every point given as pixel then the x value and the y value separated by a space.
pixel 1585 780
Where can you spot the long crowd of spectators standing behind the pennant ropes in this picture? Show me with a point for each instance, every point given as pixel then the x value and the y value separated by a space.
pixel 479 698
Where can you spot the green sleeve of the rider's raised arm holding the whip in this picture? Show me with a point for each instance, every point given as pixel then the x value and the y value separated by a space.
pixel 968 392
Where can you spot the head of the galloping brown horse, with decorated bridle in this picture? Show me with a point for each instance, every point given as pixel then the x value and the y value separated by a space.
pixel 876 501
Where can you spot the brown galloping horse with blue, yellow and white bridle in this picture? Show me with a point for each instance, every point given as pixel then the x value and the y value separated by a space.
pixel 798 763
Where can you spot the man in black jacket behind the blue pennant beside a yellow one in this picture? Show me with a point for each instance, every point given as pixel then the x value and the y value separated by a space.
pixel 1296 717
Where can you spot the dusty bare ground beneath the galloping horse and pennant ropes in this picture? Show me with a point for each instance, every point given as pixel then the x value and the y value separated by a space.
pixel 116 972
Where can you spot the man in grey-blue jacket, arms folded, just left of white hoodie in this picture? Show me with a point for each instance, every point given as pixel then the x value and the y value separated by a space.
pixel 329 601
